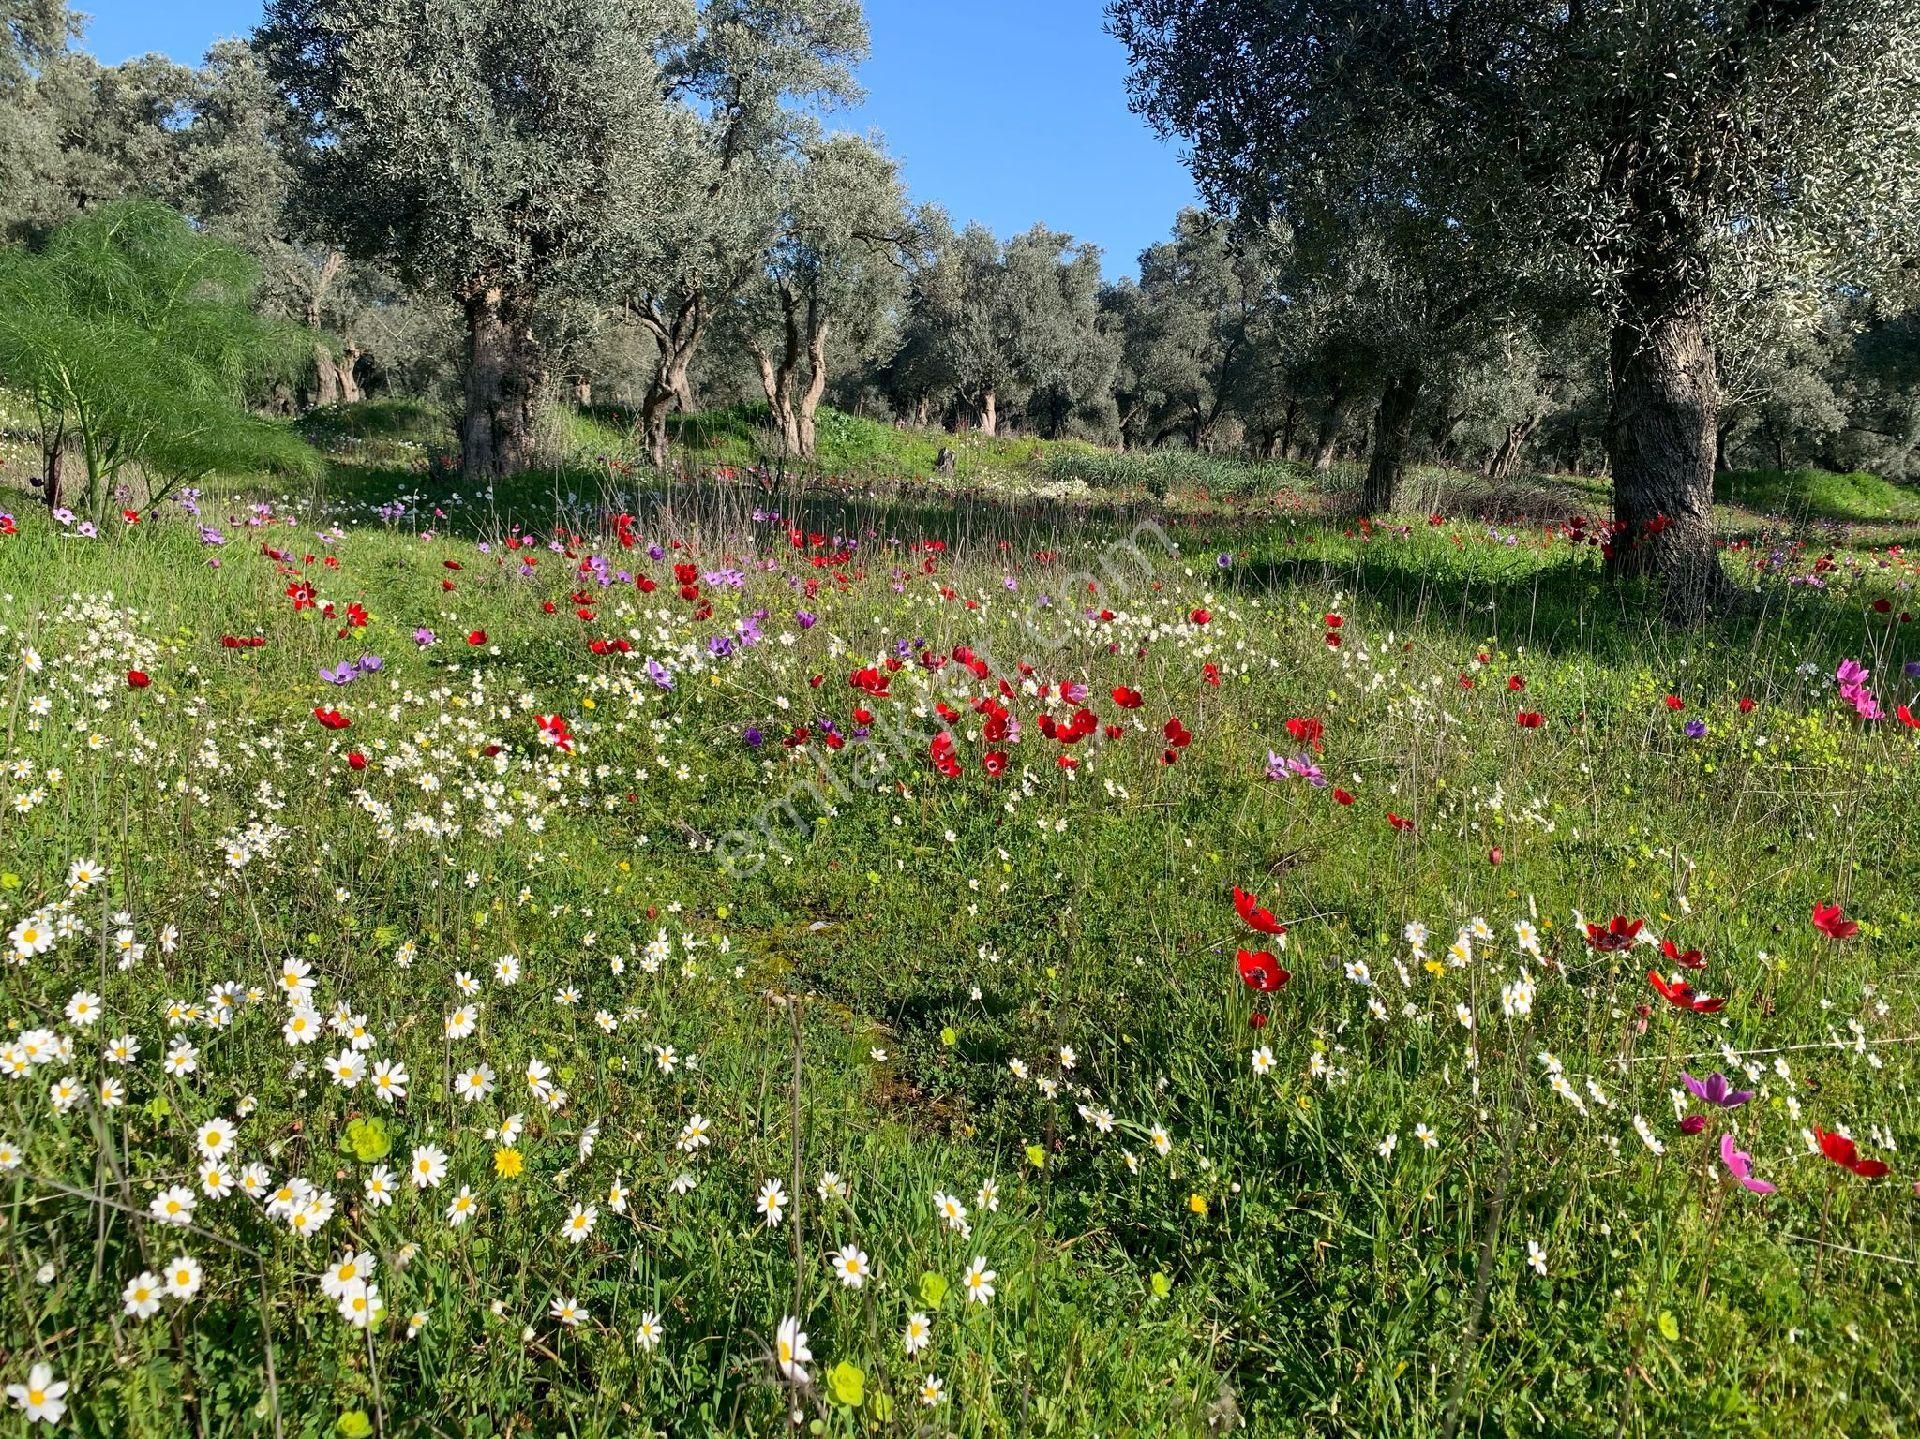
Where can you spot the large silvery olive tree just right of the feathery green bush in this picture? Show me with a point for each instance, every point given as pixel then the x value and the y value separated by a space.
pixel 491 151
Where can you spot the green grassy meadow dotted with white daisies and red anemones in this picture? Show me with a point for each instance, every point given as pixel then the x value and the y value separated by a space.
pixel 746 956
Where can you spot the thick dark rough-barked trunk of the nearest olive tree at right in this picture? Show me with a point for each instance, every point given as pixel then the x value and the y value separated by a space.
pixel 1662 449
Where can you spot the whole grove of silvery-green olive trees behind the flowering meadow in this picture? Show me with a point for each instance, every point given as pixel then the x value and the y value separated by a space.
pixel 1639 239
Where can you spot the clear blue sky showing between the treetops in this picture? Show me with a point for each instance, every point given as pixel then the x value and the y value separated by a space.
pixel 1007 112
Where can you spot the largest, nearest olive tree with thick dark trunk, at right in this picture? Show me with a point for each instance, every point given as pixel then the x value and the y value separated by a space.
pixel 1660 153
